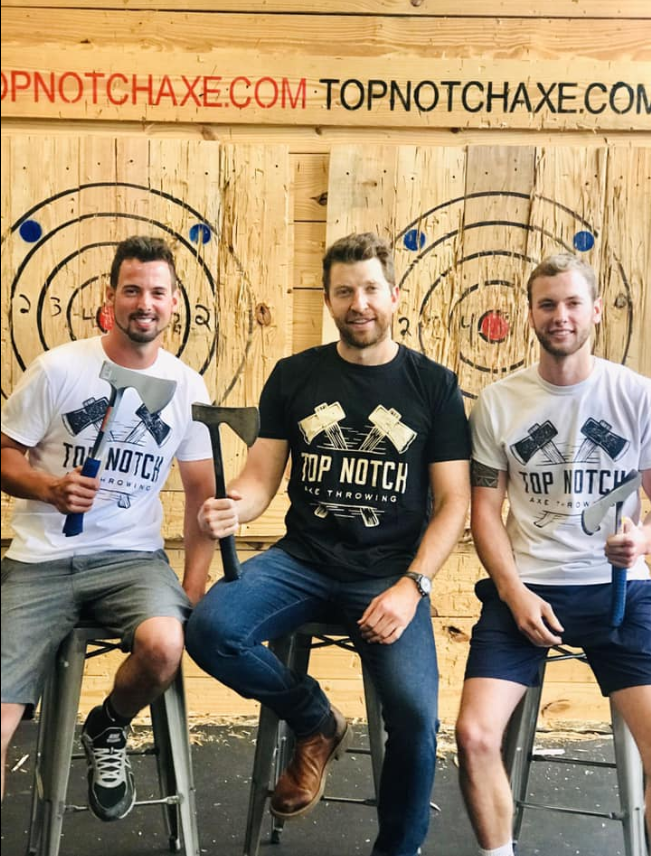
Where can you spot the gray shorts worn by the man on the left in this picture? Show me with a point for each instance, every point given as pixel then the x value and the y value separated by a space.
pixel 42 602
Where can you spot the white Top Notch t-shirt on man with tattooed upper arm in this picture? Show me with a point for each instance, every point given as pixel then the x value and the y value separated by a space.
pixel 563 447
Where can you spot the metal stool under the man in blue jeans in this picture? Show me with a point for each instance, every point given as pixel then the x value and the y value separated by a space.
pixel 274 743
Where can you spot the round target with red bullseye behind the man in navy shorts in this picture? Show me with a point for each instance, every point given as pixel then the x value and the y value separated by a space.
pixel 472 311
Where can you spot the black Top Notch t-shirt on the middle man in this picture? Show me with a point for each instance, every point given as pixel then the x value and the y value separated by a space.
pixel 361 439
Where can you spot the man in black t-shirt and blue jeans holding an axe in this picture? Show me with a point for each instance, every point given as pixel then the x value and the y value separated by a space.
pixel 379 489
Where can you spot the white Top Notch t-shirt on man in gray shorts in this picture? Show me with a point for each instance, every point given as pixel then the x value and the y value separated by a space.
pixel 56 409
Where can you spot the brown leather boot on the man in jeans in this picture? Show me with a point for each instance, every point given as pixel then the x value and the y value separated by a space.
pixel 301 786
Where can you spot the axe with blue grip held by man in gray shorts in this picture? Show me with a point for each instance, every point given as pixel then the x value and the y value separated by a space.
pixel 156 393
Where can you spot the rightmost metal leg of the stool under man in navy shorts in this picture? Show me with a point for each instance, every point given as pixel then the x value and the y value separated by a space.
pixel 631 786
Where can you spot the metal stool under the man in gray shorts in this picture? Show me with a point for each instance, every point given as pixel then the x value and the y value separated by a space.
pixel 56 730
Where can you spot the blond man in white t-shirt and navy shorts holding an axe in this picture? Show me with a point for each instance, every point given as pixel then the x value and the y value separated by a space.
pixel 554 438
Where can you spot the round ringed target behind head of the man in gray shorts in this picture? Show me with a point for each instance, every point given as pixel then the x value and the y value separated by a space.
pixel 48 245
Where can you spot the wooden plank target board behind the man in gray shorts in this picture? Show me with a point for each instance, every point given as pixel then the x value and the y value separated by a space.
pixel 67 202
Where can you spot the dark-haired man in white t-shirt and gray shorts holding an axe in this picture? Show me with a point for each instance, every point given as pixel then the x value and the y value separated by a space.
pixel 115 571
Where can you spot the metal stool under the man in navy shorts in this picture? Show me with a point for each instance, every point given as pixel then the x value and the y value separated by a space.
pixel 519 754
